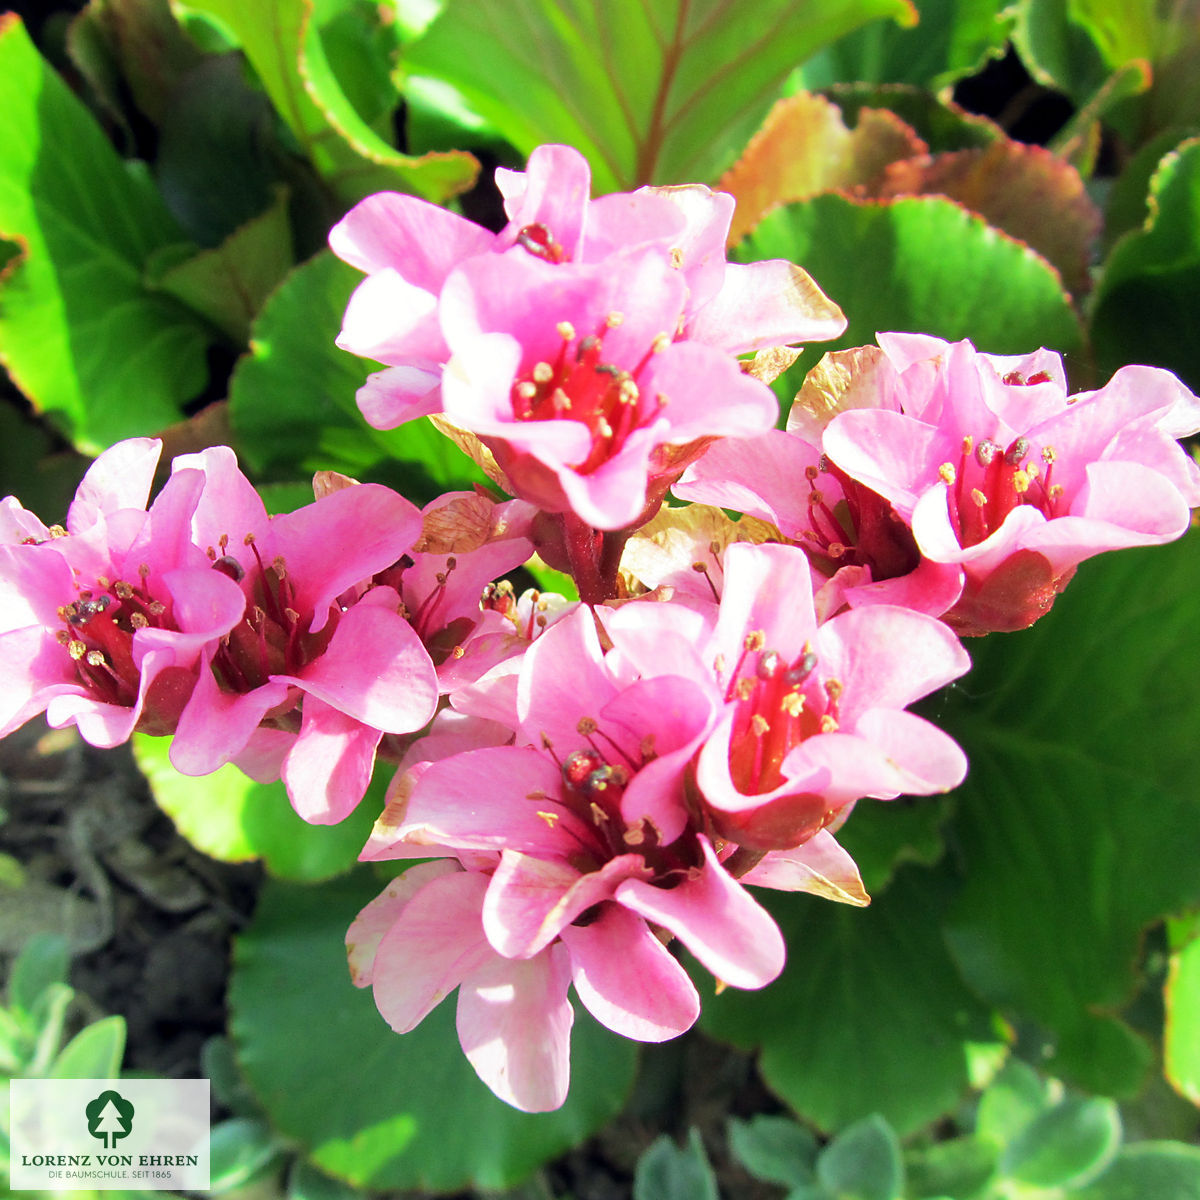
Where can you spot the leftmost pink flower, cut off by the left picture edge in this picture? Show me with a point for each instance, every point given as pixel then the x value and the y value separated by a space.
pixel 104 623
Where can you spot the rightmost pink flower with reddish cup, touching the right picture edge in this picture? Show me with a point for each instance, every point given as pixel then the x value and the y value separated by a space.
pixel 1011 482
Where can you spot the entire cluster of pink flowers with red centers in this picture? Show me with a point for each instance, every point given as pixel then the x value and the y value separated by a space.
pixel 591 783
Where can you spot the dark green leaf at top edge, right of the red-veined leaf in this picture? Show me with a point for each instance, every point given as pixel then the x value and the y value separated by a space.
pixel 951 40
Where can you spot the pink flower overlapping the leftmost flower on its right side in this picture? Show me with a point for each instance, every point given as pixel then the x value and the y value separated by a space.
pixel 319 668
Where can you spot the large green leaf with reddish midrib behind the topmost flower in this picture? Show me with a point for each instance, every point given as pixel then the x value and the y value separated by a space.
pixel 662 92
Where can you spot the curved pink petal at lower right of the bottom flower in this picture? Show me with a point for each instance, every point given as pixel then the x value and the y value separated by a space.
pixel 717 920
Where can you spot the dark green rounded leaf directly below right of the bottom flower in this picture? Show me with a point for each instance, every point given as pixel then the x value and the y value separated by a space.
pixel 871 1015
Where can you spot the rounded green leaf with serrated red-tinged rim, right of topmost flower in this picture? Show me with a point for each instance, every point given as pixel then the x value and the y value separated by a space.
pixel 922 263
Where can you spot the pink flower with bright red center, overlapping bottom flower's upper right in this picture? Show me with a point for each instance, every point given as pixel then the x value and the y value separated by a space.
pixel 811 716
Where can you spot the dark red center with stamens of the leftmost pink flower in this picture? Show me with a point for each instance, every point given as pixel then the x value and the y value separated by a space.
pixel 99 632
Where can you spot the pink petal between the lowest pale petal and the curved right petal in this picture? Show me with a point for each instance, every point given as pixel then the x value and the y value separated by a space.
pixel 628 980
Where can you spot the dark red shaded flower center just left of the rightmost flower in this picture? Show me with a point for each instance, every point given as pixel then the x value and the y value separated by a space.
pixel 860 530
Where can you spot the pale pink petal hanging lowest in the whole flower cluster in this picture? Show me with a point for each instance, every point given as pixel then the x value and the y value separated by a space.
pixel 515 1028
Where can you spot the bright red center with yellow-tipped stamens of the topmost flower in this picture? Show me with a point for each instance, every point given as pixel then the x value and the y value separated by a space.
pixel 580 386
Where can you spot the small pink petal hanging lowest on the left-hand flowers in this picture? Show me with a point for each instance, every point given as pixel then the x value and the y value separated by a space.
pixel 329 767
